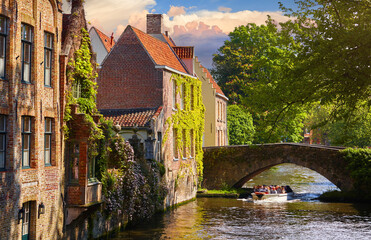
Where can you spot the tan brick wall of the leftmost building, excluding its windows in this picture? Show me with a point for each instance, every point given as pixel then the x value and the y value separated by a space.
pixel 40 183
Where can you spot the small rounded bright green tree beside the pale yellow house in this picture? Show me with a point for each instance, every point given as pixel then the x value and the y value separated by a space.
pixel 240 126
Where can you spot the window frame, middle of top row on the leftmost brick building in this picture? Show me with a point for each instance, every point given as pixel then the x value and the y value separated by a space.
pixel 30 44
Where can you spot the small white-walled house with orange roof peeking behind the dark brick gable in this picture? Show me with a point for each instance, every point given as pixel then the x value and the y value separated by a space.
pixel 101 43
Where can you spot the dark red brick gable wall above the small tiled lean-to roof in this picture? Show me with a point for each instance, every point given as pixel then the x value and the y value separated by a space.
pixel 128 78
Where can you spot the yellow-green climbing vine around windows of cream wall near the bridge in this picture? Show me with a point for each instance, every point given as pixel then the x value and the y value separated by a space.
pixel 187 118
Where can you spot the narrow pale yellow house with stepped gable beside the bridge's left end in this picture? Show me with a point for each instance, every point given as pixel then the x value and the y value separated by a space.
pixel 216 131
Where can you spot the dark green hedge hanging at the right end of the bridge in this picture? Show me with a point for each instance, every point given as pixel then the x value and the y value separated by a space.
pixel 359 163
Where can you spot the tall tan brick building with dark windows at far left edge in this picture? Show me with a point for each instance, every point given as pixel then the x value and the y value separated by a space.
pixel 31 169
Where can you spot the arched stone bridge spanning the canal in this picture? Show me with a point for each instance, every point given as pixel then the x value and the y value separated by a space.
pixel 235 165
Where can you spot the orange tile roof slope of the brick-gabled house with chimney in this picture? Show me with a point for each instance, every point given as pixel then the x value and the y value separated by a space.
pixel 160 51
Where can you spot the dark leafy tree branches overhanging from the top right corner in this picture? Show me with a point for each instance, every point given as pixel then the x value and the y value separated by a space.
pixel 334 63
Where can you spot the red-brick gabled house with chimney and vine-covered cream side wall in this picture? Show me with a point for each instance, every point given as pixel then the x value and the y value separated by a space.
pixel 143 84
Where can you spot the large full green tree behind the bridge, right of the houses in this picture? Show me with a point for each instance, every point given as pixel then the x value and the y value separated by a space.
pixel 254 68
